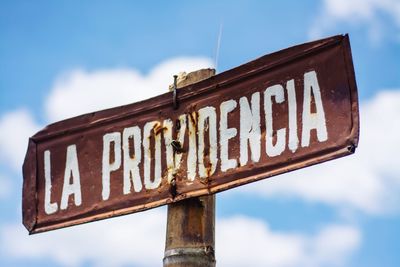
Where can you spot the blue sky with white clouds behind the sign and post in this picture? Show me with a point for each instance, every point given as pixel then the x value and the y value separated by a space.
pixel 342 213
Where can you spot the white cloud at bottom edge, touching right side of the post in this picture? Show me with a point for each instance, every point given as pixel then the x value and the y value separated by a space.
pixel 243 241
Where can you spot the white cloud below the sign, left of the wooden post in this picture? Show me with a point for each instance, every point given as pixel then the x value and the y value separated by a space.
pixel 134 239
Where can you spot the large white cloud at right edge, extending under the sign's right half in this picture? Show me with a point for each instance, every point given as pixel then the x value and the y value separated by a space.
pixel 368 181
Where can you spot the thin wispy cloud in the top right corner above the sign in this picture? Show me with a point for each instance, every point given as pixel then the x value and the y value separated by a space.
pixel 355 12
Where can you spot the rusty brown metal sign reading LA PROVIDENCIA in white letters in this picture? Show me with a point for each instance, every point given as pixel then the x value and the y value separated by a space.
pixel 281 112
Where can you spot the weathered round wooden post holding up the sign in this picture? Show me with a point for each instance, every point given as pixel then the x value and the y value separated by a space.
pixel 190 237
